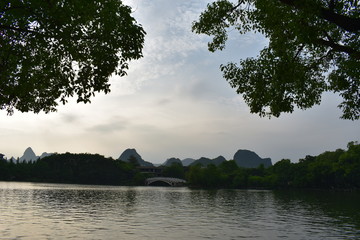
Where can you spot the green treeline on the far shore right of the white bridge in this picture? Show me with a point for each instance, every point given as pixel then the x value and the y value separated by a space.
pixel 339 169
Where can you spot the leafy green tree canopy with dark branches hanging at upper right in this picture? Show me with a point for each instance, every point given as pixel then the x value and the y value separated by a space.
pixel 314 47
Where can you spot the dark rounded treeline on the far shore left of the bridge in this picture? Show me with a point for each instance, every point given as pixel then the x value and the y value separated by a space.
pixel 71 168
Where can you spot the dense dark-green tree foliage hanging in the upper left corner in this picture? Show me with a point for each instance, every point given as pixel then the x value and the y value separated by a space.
pixel 55 49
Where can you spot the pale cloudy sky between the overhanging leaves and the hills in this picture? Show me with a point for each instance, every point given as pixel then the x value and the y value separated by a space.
pixel 175 103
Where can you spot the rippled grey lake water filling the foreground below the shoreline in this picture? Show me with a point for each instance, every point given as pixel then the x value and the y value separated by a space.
pixel 64 211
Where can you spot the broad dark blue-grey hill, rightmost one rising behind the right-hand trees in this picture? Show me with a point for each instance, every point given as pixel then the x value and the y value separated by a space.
pixel 249 159
